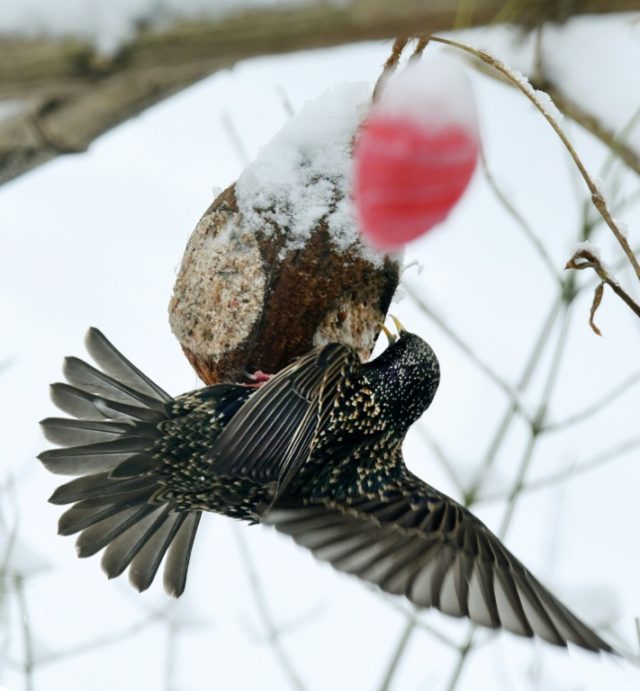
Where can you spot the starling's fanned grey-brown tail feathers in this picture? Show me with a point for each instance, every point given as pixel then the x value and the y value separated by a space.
pixel 116 505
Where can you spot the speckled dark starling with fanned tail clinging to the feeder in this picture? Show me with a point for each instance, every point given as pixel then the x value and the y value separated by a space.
pixel 316 452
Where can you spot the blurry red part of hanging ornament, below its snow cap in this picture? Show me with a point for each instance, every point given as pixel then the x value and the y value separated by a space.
pixel 409 175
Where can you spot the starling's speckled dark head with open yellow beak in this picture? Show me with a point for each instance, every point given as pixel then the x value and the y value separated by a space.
pixel 404 377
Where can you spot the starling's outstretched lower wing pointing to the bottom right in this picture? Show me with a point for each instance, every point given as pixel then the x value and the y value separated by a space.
pixel 420 543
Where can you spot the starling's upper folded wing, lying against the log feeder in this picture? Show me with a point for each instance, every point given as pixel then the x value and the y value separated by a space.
pixel 270 437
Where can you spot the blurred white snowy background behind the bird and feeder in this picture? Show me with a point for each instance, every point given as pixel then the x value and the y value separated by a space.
pixel 96 239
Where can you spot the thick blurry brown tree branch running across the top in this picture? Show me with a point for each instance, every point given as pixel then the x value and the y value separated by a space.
pixel 72 95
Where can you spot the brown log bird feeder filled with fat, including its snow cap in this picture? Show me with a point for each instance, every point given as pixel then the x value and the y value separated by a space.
pixel 277 264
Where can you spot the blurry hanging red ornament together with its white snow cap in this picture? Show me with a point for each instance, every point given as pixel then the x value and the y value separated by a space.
pixel 415 153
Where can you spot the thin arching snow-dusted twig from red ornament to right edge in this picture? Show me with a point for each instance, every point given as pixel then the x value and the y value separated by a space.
pixel 596 195
